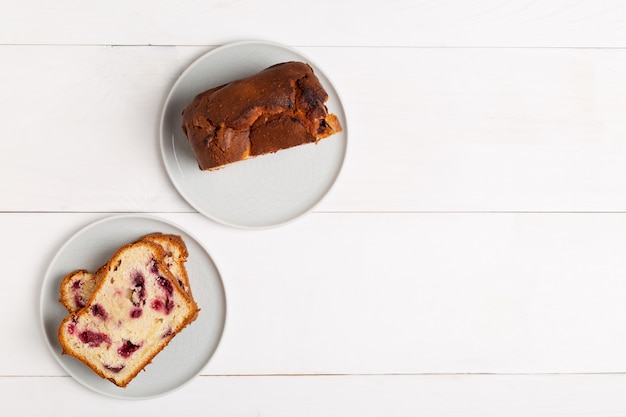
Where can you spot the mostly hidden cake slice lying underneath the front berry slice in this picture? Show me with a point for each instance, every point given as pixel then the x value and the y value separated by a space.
pixel 78 286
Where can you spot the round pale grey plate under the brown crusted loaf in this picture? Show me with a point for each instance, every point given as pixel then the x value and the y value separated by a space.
pixel 264 191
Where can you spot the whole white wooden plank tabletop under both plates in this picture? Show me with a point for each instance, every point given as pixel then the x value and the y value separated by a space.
pixel 470 260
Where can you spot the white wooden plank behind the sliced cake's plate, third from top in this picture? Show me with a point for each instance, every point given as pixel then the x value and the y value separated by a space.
pixel 379 293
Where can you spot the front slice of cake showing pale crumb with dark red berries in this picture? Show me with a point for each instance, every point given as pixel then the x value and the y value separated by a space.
pixel 136 310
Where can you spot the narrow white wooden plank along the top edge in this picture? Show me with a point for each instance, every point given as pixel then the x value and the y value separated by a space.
pixel 524 23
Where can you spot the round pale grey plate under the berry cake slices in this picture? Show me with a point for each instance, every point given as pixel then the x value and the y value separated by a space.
pixel 187 353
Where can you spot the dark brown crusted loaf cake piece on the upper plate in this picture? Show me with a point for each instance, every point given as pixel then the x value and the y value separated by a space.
pixel 277 108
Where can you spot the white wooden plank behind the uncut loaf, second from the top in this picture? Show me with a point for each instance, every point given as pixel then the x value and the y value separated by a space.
pixel 430 129
